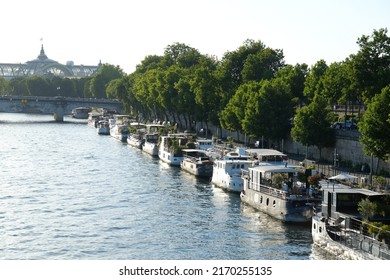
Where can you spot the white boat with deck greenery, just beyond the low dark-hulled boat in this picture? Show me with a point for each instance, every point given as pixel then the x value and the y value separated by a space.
pixel 170 148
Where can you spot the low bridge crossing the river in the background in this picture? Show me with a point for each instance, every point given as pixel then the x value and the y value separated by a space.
pixel 57 106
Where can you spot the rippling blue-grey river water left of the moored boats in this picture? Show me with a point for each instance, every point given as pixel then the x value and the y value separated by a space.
pixel 68 193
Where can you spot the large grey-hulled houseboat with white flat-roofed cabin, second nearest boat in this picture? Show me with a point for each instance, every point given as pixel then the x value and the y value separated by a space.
pixel 274 189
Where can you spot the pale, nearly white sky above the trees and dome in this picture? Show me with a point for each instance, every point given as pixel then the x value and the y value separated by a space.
pixel 123 32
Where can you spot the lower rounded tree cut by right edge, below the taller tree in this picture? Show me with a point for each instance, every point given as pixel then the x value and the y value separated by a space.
pixel 375 126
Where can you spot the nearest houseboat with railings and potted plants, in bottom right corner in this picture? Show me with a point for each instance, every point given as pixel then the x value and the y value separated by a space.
pixel 339 230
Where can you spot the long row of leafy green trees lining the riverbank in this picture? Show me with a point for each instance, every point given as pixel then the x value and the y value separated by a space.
pixel 251 90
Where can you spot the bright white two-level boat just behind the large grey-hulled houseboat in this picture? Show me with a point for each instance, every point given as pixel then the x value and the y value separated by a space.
pixel 227 171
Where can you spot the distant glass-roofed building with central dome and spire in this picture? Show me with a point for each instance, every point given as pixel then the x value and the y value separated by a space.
pixel 45 67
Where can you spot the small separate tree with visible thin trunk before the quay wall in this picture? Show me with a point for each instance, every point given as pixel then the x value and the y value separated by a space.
pixel 312 124
